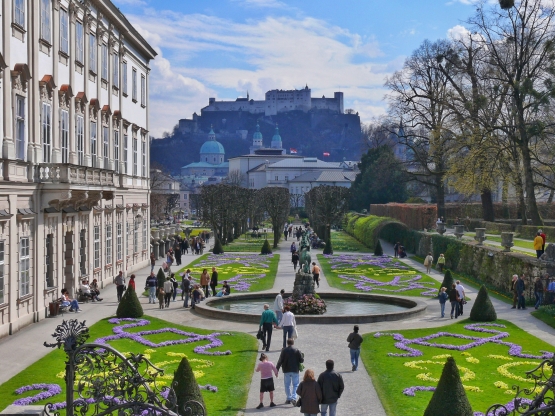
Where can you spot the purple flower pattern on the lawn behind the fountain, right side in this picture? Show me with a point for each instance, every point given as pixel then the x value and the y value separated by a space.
pixel 398 284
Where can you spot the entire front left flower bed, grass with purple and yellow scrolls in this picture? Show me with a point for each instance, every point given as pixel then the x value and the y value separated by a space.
pixel 162 343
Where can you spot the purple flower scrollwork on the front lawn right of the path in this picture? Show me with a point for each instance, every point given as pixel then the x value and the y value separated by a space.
pixel 515 350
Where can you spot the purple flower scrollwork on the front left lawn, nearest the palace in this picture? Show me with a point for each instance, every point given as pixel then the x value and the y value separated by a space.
pixel 120 333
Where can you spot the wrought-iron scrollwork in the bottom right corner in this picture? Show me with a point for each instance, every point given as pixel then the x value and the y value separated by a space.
pixel 541 397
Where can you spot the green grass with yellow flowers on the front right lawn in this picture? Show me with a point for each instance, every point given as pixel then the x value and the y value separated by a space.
pixel 480 366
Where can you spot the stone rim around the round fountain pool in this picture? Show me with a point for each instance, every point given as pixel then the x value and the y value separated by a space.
pixel 416 308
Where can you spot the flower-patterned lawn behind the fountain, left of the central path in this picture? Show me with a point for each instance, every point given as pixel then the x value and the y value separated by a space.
pixel 245 272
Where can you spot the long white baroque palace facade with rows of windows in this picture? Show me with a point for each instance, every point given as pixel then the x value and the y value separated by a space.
pixel 74 168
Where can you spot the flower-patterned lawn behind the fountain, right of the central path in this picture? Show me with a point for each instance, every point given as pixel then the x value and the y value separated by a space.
pixel 375 274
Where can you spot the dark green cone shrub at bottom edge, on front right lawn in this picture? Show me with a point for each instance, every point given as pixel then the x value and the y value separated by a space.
pixel 449 397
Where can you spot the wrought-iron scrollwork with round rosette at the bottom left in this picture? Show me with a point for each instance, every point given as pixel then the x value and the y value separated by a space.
pixel 102 381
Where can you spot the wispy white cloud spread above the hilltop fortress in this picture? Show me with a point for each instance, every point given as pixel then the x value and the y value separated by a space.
pixel 275 52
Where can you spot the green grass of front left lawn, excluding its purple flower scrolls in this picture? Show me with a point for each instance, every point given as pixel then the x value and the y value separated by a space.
pixel 231 374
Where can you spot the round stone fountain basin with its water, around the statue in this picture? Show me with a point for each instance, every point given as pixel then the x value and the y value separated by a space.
pixel 341 308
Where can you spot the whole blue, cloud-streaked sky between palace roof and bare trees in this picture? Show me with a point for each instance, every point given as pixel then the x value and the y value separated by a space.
pixel 222 48
